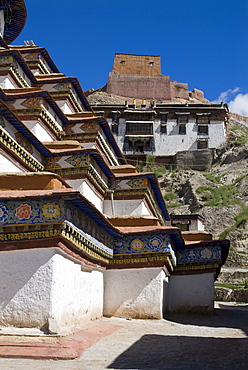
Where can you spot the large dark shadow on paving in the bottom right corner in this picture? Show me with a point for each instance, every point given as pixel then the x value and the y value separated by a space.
pixel 159 352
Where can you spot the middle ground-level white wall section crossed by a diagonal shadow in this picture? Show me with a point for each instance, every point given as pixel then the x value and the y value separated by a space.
pixel 134 293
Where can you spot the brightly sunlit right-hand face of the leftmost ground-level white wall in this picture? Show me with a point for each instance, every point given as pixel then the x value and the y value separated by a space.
pixel 76 295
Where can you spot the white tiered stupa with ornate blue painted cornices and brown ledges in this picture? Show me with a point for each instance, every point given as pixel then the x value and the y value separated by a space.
pixel 82 233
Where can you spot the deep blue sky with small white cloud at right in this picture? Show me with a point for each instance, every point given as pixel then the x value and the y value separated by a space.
pixel 201 42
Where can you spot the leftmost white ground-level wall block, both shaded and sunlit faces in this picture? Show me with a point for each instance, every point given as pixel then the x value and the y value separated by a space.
pixel 42 288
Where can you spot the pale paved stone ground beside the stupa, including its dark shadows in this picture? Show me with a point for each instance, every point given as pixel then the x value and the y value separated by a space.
pixel 180 342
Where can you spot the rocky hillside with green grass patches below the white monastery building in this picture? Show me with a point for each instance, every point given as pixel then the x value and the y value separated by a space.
pixel 220 195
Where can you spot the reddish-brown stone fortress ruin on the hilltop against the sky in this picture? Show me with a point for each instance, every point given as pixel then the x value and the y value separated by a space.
pixel 140 76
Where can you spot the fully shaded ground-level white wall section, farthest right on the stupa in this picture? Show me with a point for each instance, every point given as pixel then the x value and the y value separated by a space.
pixel 191 293
